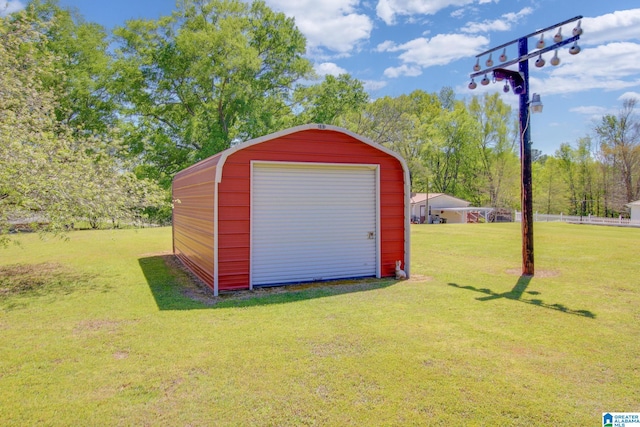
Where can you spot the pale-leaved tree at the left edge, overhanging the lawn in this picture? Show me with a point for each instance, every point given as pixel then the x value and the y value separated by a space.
pixel 49 174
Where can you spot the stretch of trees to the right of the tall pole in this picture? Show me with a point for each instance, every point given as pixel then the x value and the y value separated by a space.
pixel 598 174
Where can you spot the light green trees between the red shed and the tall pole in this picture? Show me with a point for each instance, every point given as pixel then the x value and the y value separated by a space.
pixel 451 148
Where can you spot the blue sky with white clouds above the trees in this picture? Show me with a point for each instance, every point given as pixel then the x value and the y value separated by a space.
pixel 398 46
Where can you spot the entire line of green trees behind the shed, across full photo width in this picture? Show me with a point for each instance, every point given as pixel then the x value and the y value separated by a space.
pixel 93 125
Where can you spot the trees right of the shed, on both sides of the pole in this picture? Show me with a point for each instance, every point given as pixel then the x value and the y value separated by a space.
pixel 470 149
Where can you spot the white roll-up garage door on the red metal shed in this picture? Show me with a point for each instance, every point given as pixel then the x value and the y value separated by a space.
pixel 313 222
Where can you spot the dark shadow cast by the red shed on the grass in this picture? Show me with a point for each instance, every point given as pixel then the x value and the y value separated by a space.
pixel 174 288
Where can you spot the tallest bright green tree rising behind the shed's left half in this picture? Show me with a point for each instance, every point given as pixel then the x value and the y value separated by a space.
pixel 212 73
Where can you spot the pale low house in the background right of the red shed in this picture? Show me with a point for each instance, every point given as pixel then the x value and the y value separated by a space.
pixel 437 208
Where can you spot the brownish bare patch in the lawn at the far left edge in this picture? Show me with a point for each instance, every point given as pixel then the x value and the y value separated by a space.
pixel 39 279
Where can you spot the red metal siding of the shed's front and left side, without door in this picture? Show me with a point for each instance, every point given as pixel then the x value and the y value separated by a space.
pixel 194 218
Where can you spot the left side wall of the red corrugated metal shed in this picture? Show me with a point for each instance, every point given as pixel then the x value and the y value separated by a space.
pixel 193 218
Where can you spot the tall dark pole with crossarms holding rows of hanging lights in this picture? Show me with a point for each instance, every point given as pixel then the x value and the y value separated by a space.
pixel 519 81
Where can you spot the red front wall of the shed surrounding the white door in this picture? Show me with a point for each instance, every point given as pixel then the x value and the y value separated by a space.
pixel 323 146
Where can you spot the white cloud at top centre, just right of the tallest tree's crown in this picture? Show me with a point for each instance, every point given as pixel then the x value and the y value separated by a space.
pixel 330 24
